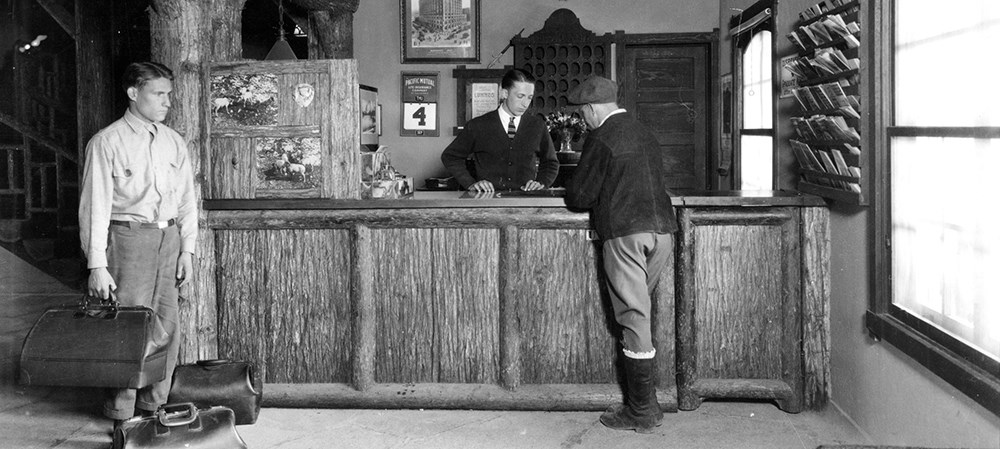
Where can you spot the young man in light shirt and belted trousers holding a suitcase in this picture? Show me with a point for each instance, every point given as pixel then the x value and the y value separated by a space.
pixel 139 219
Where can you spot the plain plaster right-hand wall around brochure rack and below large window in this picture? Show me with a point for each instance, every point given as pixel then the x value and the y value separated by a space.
pixel 890 397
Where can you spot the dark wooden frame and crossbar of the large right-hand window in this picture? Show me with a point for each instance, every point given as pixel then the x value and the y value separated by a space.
pixel 964 367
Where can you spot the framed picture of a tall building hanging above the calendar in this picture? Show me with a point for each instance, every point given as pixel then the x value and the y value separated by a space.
pixel 439 31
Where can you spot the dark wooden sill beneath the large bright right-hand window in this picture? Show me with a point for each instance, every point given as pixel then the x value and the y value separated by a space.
pixel 975 382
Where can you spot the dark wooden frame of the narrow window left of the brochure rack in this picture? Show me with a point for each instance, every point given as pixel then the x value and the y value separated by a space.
pixel 740 41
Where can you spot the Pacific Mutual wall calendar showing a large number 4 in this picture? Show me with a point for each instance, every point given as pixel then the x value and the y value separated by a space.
pixel 419 110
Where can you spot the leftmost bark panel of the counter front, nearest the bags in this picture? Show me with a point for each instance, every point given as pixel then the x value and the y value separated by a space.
pixel 284 302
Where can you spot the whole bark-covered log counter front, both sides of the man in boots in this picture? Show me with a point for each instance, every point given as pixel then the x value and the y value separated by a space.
pixel 497 303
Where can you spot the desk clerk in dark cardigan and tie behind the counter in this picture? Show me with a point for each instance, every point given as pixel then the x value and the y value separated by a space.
pixel 505 143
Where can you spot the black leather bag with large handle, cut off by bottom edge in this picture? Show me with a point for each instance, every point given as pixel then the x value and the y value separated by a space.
pixel 180 426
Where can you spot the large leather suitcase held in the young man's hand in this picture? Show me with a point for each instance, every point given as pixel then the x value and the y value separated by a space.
pixel 95 345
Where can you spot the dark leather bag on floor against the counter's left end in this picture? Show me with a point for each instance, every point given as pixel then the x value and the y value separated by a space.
pixel 219 382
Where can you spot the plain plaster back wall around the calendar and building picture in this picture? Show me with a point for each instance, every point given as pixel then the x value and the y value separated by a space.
pixel 376 47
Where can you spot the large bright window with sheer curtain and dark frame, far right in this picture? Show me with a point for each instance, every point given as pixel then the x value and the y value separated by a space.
pixel 938 277
